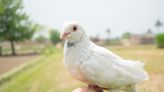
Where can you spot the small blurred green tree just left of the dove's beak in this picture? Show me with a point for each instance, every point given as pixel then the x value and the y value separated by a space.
pixel 54 36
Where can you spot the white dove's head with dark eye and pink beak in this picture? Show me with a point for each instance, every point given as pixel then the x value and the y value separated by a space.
pixel 72 31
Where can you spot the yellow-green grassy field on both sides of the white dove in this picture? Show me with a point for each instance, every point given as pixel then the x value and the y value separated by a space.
pixel 50 75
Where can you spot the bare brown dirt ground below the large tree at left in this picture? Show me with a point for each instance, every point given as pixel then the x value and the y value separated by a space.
pixel 10 62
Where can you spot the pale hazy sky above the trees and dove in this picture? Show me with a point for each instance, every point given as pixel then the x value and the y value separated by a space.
pixel 96 16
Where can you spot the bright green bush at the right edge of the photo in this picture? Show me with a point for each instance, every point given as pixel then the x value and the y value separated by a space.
pixel 160 40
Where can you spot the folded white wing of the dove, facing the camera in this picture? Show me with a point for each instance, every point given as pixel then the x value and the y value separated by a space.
pixel 105 70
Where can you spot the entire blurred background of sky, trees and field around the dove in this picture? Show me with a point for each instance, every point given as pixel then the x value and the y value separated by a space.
pixel 31 52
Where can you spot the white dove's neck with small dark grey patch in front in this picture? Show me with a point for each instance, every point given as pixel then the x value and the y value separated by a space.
pixel 77 50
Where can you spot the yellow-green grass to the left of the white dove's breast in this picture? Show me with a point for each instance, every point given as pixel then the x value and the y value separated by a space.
pixel 47 76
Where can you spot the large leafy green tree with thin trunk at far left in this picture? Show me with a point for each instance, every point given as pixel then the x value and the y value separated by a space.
pixel 14 23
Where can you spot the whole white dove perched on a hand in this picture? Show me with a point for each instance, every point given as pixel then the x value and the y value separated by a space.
pixel 97 66
